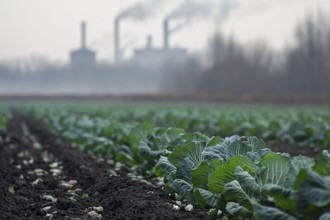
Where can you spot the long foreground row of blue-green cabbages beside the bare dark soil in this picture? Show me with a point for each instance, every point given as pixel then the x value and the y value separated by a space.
pixel 235 177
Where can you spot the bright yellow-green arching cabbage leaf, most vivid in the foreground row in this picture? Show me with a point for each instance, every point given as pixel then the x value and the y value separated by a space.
pixel 226 172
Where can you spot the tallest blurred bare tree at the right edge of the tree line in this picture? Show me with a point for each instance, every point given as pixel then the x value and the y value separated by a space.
pixel 308 62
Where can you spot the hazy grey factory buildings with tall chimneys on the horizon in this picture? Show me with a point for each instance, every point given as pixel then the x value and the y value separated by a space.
pixel 147 57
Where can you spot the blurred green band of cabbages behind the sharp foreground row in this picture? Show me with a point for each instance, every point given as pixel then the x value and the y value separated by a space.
pixel 308 127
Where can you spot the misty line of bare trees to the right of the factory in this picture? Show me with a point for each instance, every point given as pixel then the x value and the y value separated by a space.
pixel 301 70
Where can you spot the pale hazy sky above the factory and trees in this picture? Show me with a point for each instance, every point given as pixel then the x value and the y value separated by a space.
pixel 51 28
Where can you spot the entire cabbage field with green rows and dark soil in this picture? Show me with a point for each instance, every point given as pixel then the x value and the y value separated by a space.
pixel 165 161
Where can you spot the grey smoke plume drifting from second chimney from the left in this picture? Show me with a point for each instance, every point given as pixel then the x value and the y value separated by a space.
pixel 140 11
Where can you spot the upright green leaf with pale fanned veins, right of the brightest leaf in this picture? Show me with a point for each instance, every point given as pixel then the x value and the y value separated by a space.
pixel 274 169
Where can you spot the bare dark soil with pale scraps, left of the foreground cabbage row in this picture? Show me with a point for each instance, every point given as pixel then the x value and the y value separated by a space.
pixel 36 162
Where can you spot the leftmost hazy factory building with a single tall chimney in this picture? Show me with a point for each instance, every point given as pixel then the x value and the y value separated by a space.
pixel 83 57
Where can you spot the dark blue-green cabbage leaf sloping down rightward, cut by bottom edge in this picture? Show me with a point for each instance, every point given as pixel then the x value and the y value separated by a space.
pixel 261 212
